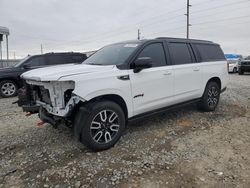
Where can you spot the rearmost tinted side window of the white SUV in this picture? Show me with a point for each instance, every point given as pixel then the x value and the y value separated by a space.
pixel 210 52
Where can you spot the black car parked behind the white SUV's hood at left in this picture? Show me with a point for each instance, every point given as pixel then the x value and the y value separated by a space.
pixel 10 77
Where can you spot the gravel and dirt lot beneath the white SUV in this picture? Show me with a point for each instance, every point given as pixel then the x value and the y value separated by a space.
pixel 182 148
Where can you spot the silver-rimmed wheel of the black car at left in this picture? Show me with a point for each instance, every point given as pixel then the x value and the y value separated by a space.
pixel 8 88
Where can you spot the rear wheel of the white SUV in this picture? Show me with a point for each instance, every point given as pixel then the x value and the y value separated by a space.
pixel 210 98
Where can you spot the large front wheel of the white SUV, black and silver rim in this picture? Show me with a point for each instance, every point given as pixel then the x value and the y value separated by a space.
pixel 99 125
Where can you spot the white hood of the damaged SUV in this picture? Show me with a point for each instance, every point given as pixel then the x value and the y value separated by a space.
pixel 54 73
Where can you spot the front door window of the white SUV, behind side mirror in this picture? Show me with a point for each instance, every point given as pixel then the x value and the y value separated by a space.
pixel 156 52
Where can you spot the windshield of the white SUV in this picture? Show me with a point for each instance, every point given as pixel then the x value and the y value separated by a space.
pixel 115 54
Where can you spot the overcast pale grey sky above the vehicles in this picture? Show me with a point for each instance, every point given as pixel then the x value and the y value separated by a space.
pixel 64 25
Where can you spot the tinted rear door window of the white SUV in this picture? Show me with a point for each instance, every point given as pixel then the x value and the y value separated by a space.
pixel 180 53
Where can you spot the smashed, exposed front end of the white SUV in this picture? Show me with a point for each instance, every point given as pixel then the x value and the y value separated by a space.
pixel 53 100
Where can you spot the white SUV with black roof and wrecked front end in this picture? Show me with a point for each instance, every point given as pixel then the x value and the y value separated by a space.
pixel 125 81
